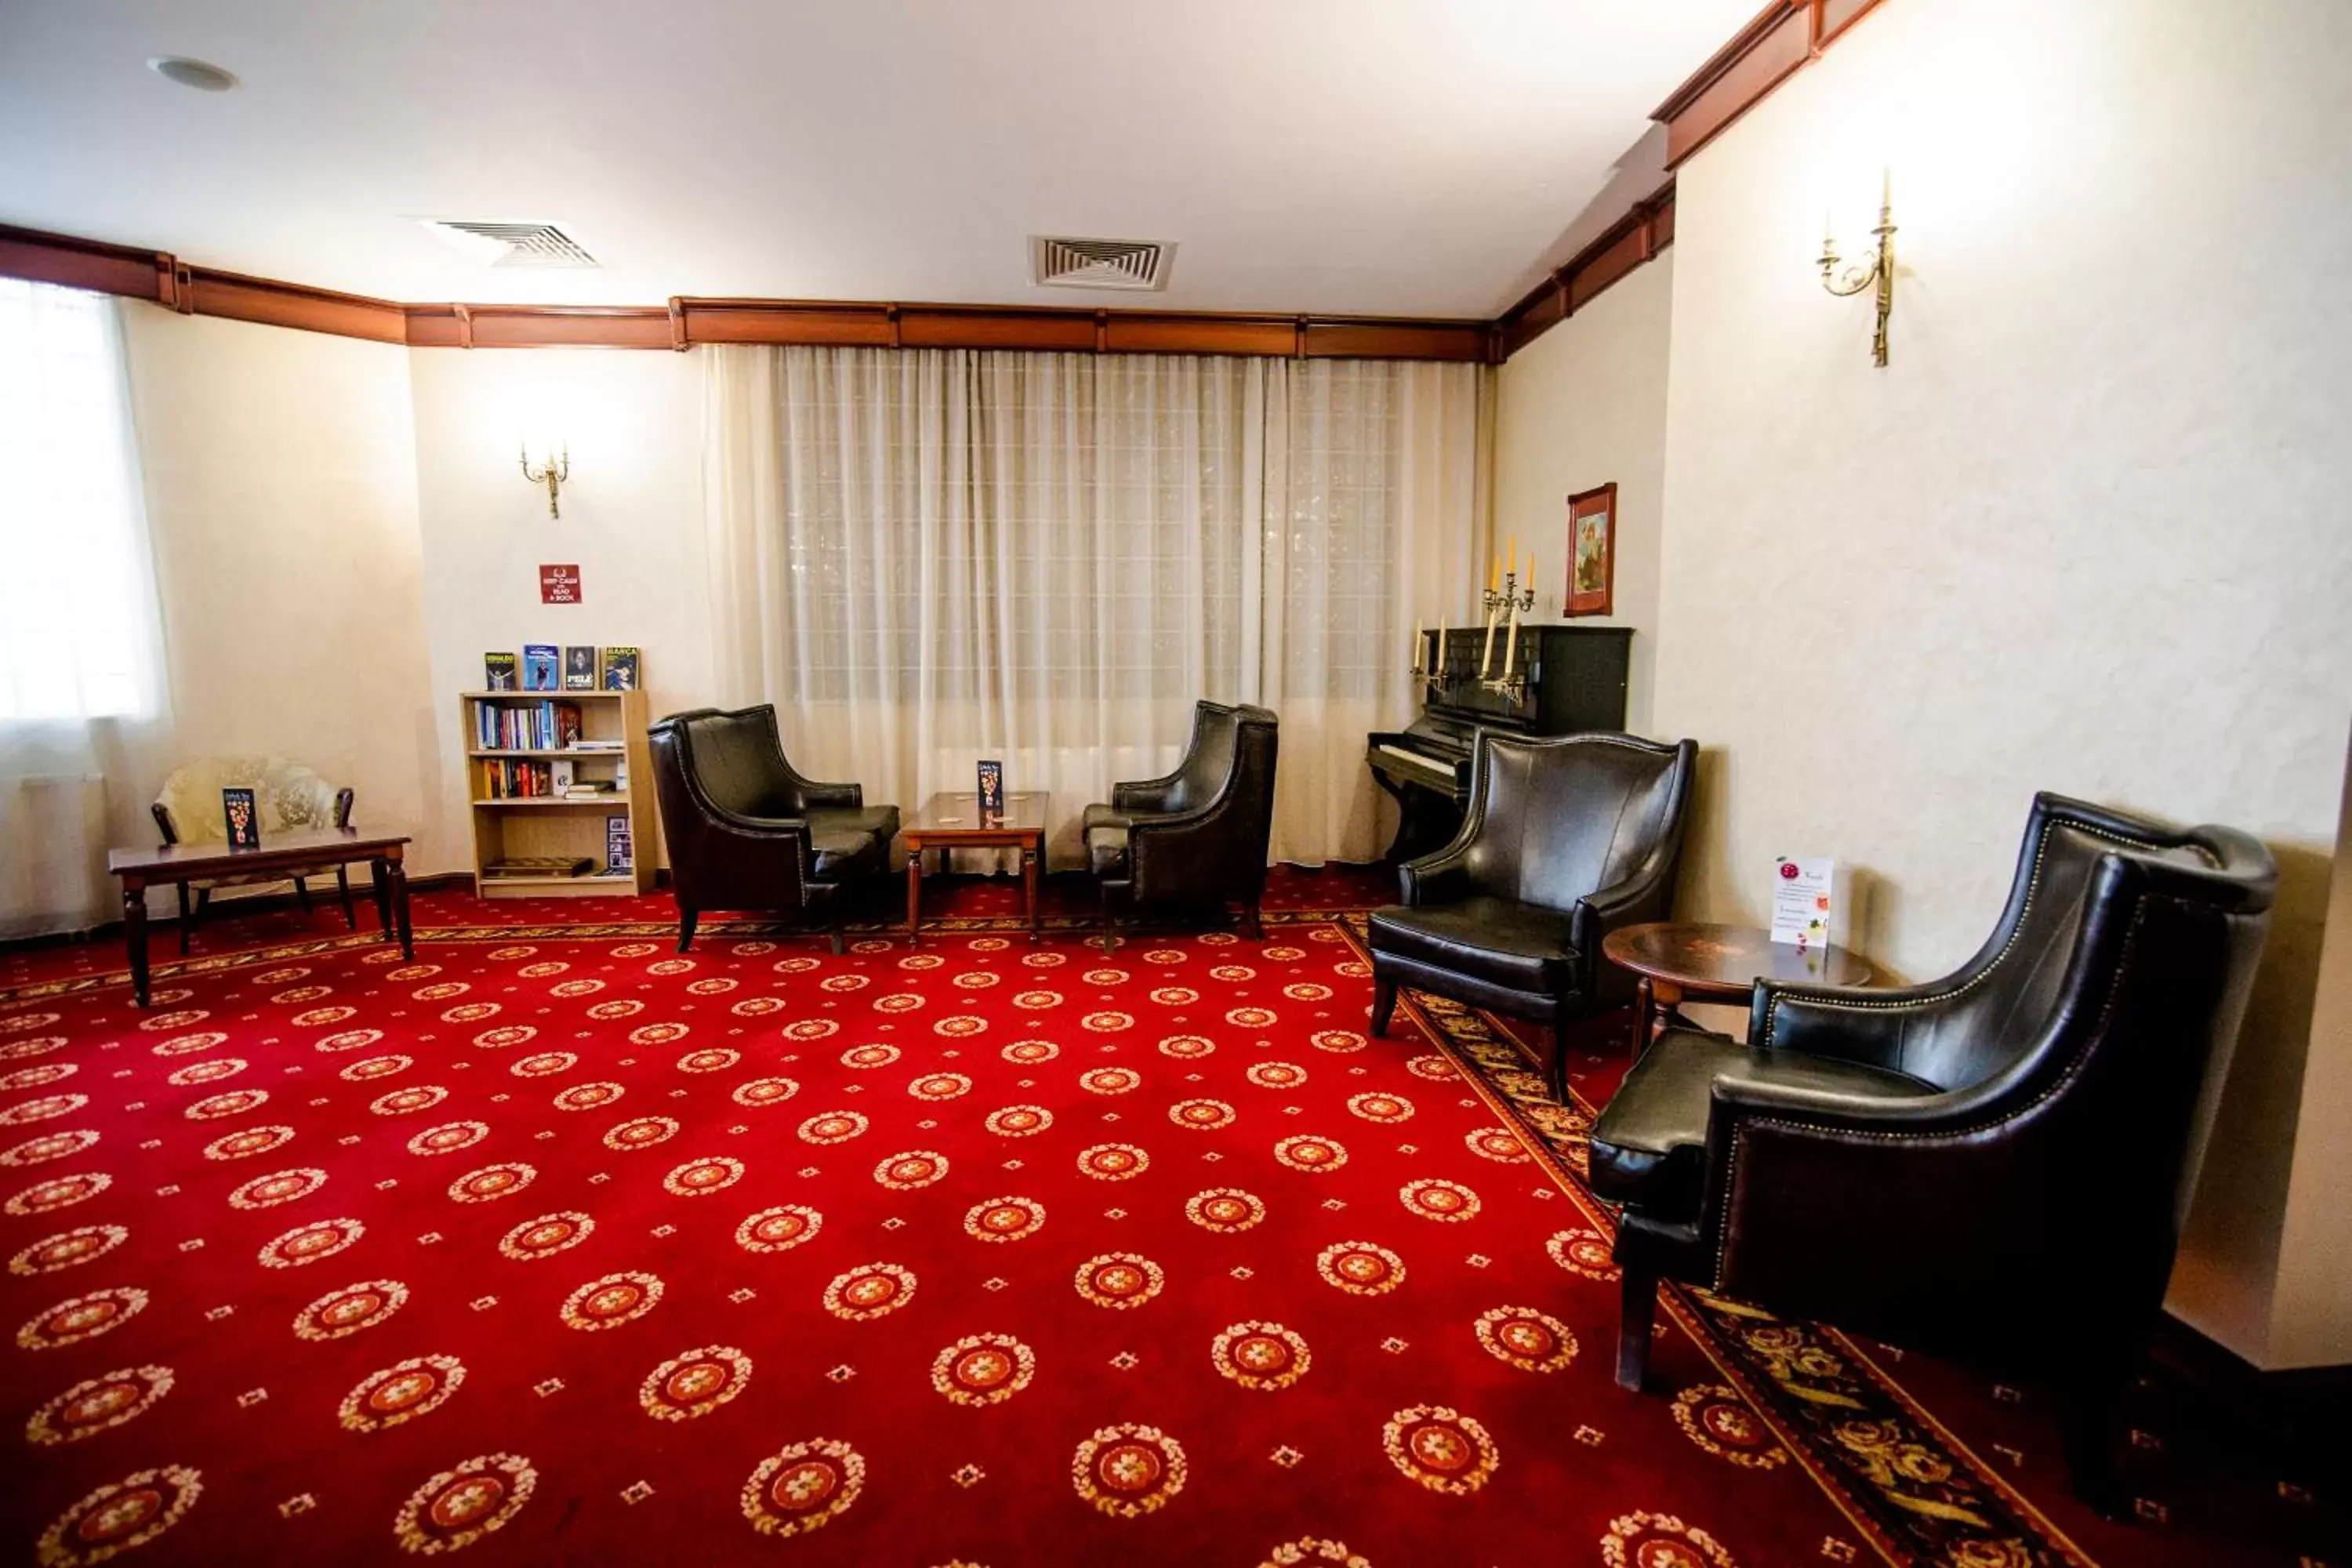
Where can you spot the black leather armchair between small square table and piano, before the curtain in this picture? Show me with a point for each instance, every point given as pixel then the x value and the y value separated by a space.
pixel 1198 836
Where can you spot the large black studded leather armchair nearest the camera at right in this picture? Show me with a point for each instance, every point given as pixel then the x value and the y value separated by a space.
pixel 1993 1165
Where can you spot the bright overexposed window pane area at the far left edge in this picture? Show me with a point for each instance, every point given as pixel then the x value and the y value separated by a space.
pixel 74 575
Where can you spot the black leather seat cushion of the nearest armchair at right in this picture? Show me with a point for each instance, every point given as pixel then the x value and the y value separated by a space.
pixel 1650 1144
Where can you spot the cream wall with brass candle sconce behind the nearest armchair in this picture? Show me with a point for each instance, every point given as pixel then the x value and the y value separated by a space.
pixel 2087 532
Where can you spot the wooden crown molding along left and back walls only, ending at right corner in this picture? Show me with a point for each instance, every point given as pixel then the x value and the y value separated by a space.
pixel 690 323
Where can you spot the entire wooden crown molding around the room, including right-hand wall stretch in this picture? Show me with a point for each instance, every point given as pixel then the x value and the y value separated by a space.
pixel 1777 43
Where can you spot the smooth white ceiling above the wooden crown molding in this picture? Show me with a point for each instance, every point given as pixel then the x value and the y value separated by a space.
pixel 1335 156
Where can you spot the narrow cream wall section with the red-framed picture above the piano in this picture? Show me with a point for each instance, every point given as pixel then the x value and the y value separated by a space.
pixel 1582 408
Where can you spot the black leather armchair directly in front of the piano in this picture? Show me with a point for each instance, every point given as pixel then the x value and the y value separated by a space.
pixel 1565 840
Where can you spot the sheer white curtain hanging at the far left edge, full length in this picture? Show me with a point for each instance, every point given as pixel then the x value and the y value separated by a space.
pixel 81 676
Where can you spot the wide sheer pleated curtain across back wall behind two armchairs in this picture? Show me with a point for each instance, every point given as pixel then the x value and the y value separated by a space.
pixel 937 556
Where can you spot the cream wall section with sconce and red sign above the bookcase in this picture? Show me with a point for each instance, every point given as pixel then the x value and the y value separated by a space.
pixel 632 521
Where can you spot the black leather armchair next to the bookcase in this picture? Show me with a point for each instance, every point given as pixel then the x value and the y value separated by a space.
pixel 749 833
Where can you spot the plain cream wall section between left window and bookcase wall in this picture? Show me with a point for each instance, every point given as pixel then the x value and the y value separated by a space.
pixel 281 483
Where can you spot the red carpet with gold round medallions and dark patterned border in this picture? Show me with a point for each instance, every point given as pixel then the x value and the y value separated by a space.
pixel 559 1247
